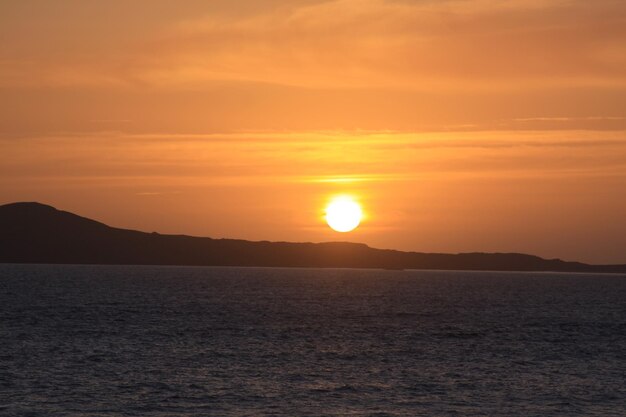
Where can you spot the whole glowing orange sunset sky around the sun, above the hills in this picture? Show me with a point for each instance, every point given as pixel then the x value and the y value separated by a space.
pixel 467 125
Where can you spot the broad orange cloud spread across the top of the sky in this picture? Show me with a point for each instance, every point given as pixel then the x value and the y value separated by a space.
pixel 422 45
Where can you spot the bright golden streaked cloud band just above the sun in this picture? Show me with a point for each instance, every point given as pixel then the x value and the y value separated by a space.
pixel 315 157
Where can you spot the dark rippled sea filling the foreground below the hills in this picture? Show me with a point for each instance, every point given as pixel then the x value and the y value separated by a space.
pixel 205 341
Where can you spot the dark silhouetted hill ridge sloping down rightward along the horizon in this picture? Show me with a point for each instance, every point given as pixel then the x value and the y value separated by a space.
pixel 37 233
